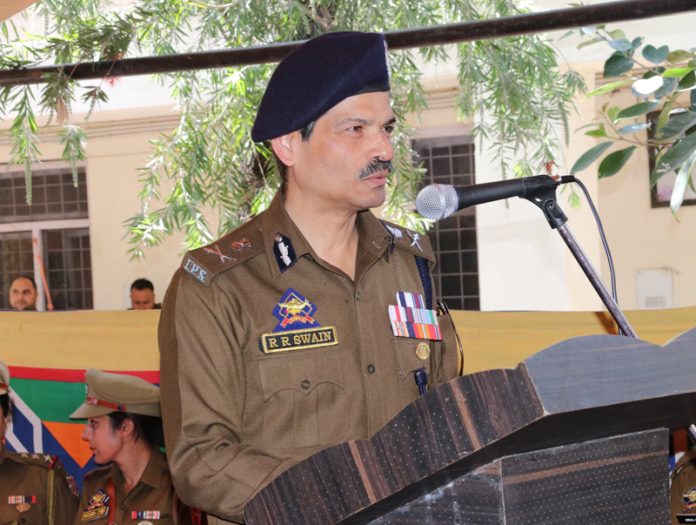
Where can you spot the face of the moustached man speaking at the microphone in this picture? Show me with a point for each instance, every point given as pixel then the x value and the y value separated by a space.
pixel 344 164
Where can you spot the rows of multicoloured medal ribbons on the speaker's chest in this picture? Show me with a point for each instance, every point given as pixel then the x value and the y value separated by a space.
pixel 410 318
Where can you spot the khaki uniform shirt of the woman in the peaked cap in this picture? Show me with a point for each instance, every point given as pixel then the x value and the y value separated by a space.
pixel 152 500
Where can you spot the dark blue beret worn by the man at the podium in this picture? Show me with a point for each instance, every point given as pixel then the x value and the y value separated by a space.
pixel 318 75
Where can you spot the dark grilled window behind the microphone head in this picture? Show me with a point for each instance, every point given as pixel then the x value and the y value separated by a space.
pixel 450 160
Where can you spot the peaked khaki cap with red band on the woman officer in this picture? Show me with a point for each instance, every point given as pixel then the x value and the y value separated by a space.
pixel 108 392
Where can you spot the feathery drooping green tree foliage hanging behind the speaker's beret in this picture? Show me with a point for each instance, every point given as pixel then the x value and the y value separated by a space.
pixel 208 166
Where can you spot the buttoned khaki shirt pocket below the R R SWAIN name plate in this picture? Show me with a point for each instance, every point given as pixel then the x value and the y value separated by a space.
pixel 304 399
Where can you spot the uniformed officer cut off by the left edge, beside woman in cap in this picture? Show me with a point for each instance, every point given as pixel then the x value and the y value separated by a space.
pixel 34 489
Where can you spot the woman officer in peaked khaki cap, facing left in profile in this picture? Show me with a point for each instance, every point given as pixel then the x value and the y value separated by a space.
pixel 124 431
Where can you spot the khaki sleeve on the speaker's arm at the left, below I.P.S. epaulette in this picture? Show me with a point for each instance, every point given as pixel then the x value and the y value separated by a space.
pixel 203 389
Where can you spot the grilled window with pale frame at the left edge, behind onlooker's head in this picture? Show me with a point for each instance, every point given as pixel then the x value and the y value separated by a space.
pixel 48 240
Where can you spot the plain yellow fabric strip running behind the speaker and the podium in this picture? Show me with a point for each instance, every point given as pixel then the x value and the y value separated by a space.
pixel 117 340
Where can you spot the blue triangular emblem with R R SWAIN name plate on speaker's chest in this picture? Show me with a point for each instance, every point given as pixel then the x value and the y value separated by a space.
pixel 296 329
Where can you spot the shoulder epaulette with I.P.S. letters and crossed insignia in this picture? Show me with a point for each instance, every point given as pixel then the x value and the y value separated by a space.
pixel 227 252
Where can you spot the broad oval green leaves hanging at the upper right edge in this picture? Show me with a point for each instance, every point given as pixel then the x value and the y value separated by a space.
pixel 664 83
